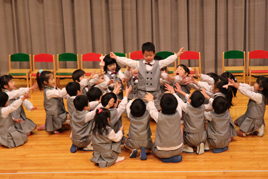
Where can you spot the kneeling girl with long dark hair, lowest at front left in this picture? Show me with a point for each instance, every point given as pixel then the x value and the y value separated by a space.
pixel 105 141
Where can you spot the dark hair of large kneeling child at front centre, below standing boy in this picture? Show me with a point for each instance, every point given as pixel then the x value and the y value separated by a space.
pixel 168 104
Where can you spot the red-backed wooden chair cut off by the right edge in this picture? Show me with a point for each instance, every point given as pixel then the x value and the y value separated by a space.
pixel 257 70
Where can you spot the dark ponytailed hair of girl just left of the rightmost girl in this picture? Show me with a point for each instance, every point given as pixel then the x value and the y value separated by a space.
pixel 227 92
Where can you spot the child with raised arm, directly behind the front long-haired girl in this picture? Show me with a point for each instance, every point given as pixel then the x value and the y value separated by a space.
pixel 116 113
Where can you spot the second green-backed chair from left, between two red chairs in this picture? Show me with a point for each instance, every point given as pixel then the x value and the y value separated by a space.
pixel 65 72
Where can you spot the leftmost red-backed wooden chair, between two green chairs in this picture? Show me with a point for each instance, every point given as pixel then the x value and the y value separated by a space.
pixel 45 58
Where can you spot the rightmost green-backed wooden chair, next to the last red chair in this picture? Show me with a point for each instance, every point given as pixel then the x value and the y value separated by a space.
pixel 235 70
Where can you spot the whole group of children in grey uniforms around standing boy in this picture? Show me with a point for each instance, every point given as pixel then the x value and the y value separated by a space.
pixel 185 121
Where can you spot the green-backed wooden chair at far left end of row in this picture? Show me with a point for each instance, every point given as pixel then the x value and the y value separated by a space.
pixel 20 73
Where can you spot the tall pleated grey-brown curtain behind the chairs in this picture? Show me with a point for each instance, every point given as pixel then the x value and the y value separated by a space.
pixel 82 26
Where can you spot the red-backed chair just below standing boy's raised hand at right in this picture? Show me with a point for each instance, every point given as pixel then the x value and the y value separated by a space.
pixel 191 55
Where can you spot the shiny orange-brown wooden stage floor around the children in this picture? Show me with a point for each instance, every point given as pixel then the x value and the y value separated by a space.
pixel 48 156
